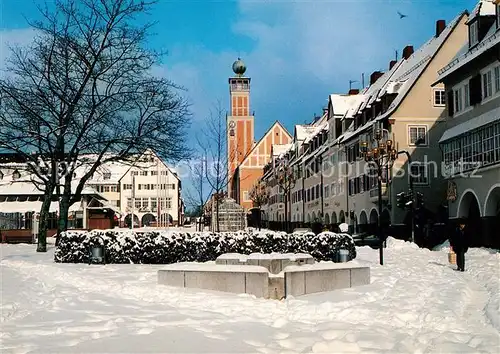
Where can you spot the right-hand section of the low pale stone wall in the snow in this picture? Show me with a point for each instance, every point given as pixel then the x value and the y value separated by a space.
pixel 321 277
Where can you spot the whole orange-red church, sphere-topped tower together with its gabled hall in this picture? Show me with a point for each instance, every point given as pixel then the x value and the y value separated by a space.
pixel 246 158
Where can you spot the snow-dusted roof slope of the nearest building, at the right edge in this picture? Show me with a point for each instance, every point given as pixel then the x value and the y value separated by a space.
pixel 466 54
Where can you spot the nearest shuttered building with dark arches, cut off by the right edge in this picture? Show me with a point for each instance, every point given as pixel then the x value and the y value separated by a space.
pixel 471 142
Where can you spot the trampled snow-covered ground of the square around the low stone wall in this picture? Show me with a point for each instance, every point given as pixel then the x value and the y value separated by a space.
pixel 416 303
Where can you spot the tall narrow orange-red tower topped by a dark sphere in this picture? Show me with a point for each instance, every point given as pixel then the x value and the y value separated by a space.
pixel 240 124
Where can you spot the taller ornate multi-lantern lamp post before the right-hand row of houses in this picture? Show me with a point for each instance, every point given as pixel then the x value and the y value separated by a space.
pixel 382 155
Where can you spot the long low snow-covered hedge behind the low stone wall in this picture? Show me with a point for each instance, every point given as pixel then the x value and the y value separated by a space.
pixel 163 247
